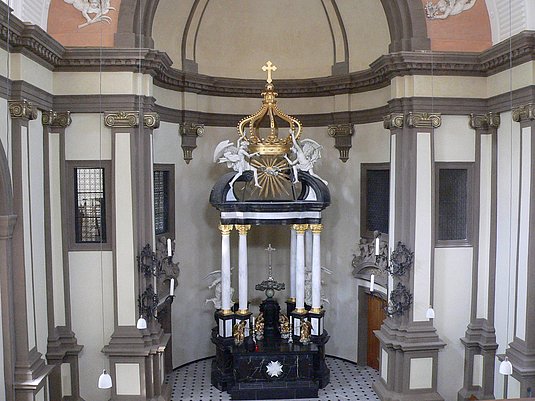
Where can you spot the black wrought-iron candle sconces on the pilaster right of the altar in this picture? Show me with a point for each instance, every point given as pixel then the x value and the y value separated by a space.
pixel 399 264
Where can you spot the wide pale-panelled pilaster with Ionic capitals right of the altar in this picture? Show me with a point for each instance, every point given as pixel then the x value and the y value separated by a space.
pixel 409 343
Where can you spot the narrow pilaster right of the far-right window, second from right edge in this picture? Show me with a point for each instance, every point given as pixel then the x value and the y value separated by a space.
pixel 480 338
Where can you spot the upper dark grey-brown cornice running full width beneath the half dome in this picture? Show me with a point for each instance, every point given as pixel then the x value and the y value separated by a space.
pixel 37 44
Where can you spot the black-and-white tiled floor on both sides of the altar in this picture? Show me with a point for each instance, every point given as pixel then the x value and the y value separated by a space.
pixel 348 382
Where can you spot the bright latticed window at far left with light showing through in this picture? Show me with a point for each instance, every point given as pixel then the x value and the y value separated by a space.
pixel 90 205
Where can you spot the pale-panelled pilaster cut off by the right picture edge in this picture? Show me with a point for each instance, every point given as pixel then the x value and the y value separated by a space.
pixel 521 351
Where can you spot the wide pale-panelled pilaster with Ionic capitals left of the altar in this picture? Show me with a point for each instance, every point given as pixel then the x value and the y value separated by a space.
pixel 131 349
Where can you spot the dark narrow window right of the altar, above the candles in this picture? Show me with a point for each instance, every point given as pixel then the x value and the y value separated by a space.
pixel 375 198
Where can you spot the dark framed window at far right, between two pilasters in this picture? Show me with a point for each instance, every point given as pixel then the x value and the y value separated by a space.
pixel 454 181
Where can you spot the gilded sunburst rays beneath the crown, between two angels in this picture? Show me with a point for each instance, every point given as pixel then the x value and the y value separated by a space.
pixel 273 173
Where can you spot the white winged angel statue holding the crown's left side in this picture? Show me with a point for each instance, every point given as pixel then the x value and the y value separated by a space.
pixel 236 158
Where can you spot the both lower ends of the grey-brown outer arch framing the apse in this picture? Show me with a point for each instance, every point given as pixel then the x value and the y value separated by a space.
pixel 405 18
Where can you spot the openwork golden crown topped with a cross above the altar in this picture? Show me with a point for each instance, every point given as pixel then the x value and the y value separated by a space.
pixel 249 127
